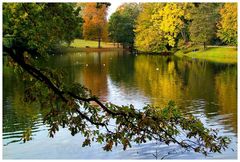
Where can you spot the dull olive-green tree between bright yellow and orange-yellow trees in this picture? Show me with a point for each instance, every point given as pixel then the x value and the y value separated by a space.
pixel 203 26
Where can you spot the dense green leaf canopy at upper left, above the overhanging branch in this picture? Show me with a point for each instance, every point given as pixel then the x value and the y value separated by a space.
pixel 25 25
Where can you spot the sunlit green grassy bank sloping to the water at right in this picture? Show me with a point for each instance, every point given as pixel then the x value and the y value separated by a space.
pixel 215 54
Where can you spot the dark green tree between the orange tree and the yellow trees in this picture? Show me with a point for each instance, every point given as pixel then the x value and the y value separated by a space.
pixel 122 24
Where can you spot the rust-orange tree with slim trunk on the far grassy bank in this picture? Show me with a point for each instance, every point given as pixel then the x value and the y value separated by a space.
pixel 95 22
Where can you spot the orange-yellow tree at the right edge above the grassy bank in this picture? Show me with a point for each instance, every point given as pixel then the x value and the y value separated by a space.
pixel 227 26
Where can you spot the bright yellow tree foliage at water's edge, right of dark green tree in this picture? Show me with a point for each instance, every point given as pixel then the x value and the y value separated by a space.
pixel 161 25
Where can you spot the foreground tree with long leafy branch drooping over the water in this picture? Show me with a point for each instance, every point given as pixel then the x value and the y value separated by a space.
pixel 71 104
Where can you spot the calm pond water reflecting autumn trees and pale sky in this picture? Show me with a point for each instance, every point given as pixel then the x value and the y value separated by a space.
pixel 208 90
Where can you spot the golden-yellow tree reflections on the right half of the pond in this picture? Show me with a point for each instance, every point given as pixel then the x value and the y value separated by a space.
pixel 185 81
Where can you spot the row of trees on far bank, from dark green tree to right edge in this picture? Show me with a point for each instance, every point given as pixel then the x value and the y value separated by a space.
pixel 158 27
